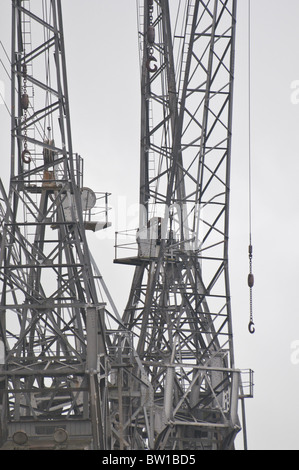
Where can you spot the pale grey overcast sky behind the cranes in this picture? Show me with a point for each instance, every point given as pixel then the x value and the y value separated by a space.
pixel 103 74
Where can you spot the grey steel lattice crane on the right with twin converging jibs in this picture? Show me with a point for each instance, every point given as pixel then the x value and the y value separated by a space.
pixel 179 309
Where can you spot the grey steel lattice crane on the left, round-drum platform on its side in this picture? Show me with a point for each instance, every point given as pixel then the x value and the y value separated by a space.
pixel 54 303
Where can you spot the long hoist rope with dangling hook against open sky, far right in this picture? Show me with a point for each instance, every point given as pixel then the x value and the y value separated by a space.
pixel 251 326
